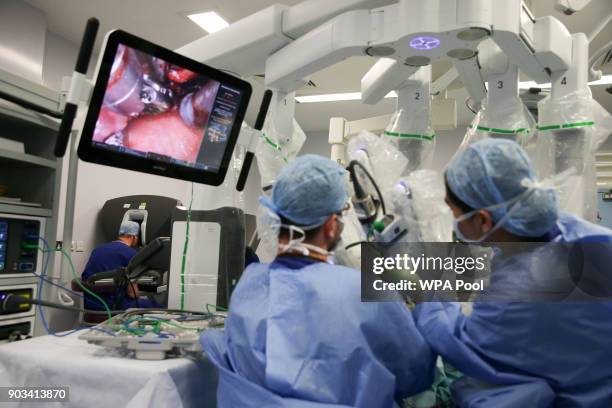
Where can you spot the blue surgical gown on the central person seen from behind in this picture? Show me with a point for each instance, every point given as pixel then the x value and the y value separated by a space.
pixel 298 335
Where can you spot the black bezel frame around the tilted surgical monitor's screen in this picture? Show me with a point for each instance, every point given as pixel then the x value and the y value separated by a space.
pixel 88 152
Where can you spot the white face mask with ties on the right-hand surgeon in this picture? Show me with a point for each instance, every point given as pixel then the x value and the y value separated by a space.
pixel 513 203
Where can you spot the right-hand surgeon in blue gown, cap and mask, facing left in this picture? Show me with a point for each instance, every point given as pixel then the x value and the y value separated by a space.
pixel 520 353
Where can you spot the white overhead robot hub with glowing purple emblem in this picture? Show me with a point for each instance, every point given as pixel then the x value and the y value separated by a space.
pixel 413 33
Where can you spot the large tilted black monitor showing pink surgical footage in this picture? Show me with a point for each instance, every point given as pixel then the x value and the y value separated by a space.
pixel 155 111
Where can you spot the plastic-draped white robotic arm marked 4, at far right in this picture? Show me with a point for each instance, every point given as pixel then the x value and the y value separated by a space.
pixel 571 126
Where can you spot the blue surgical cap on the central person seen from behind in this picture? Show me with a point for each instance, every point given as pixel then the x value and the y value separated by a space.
pixel 308 190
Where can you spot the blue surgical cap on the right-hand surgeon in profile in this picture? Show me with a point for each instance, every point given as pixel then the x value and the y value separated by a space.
pixel 491 172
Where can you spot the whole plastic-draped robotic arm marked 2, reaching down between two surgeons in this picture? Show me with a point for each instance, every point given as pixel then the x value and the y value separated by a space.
pixel 388 172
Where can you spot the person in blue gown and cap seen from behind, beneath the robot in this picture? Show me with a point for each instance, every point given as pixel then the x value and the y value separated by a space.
pixel 298 334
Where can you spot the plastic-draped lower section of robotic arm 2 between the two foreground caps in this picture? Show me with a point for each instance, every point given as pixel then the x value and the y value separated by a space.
pixel 392 207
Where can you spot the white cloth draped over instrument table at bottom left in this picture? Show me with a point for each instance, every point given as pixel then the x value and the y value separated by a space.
pixel 98 377
